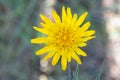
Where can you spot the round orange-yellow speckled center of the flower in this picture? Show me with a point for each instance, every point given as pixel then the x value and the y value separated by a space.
pixel 64 38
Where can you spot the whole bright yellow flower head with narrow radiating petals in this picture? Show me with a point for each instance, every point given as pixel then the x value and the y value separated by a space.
pixel 64 37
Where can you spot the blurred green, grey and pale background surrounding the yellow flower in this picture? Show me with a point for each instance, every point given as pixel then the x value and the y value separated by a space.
pixel 17 58
